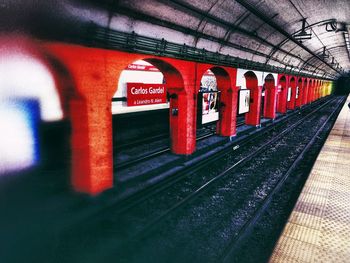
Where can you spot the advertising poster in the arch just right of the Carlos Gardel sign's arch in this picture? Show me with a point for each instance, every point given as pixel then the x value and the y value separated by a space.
pixel 210 107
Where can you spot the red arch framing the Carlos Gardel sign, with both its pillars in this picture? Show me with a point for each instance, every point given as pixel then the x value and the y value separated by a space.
pixel 95 73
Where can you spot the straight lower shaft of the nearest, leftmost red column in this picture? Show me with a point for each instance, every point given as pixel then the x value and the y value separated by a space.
pixel 92 169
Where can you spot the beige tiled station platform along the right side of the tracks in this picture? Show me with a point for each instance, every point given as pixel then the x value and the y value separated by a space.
pixel 318 229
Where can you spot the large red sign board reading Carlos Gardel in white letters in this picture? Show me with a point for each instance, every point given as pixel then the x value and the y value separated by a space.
pixel 145 94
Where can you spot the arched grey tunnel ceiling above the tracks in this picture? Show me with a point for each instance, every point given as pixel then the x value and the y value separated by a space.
pixel 264 31
